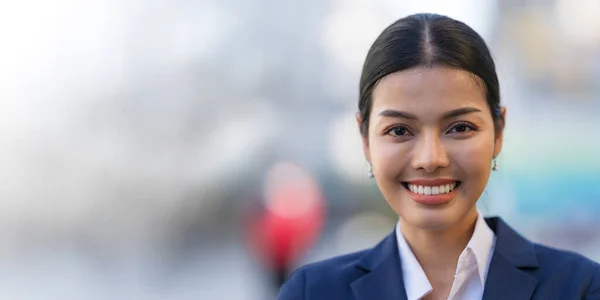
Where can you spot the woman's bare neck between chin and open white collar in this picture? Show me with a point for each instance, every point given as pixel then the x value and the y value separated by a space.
pixel 438 250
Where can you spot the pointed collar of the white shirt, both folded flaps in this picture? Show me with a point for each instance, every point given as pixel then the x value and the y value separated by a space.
pixel 415 281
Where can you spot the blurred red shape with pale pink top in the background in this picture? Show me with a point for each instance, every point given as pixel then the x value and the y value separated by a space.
pixel 292 218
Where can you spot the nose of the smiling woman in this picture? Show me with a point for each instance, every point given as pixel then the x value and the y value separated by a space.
pixel 430 153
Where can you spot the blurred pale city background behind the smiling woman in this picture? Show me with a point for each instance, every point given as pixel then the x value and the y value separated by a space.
pixel 159 149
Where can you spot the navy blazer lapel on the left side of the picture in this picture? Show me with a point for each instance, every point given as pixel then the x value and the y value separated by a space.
pixel 383 280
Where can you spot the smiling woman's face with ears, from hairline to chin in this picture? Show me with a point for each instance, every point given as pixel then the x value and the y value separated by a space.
pixel 431 142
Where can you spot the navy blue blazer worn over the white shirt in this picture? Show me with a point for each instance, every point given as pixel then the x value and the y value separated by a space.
pixel 519 270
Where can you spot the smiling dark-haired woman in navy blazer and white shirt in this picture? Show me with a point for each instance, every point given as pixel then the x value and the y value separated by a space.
pixel 432 126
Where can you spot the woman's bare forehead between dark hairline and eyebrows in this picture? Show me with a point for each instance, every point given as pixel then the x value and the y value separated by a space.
pixel 427 89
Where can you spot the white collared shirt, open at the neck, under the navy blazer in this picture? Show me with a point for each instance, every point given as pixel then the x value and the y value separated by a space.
pixel 471 271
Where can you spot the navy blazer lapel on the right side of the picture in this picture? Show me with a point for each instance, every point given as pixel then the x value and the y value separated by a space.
pixel 506 278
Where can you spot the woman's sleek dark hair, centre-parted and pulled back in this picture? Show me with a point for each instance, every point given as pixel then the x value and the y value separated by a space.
pixel 428 40
